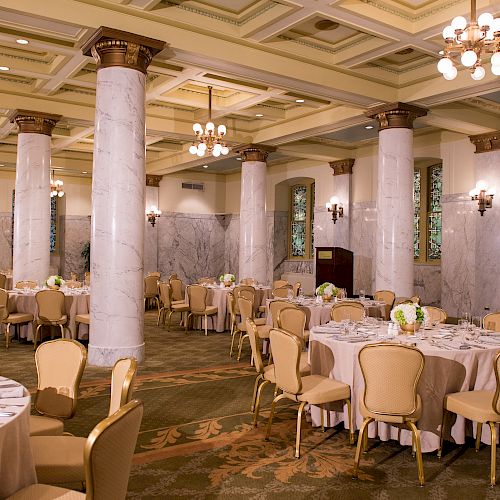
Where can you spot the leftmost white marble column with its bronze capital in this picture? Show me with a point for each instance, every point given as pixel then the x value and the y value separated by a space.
pixel 32 206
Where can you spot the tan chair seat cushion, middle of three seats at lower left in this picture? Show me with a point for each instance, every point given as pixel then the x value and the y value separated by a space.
pixel 58 459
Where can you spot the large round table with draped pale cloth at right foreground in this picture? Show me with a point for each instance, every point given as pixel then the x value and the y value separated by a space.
pixel 447 369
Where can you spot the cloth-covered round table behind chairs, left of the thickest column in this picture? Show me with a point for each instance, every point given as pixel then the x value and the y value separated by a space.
pixel 77 301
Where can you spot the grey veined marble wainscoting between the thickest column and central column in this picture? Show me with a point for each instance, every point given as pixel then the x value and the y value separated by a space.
pixel 191 245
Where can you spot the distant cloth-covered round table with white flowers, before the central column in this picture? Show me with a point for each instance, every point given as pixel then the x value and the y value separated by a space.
pixel 217 296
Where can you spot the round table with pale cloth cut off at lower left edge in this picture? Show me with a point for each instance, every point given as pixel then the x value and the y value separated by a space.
pixel 17 469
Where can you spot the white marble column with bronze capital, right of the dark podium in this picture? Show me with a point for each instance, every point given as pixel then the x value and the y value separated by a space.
pixel 394 238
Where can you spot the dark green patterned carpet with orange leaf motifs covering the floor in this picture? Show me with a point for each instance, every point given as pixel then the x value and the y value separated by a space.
pixel 197 441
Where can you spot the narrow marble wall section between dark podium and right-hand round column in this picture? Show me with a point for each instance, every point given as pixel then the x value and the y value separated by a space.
pixel 363 229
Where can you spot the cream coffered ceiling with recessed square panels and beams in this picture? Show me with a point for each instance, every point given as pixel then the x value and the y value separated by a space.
pixel 340 57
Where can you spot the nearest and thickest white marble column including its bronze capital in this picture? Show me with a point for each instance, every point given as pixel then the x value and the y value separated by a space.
pixel 118 195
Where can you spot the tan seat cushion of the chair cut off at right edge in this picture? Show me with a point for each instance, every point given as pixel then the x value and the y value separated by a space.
pixel 473 405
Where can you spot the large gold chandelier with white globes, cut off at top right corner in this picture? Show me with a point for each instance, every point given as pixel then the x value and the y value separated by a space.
pixel 471 41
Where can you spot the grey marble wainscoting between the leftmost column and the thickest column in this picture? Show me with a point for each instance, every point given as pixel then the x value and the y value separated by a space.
pixel 74 231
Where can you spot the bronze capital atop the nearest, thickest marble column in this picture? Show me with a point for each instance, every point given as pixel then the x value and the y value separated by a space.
pixel 111 47
